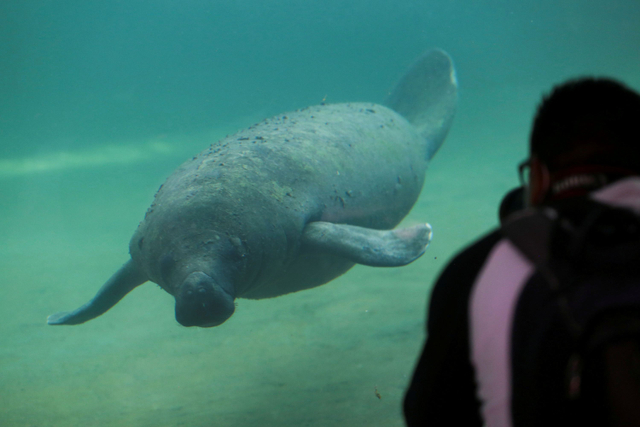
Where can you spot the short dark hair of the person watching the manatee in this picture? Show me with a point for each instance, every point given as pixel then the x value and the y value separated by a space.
pixel 589 121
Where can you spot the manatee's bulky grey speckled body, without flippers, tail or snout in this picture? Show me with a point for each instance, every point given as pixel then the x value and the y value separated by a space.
pixel 237 210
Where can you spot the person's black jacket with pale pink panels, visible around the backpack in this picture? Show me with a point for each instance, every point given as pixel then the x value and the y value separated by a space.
pixel 466 374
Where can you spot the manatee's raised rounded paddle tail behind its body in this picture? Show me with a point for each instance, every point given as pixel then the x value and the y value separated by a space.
pixel 427 96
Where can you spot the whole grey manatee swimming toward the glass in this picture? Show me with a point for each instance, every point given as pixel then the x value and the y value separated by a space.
pixel 290 203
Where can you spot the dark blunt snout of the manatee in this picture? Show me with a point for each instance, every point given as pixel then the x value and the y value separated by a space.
pixel 202 302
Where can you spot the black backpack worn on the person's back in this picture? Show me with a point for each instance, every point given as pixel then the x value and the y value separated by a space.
pixel 576 328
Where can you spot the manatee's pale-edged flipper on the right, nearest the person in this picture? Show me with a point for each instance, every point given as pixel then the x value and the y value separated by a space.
pixel 377 248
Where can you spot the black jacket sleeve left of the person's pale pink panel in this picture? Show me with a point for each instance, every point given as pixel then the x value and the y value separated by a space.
pixel 443 391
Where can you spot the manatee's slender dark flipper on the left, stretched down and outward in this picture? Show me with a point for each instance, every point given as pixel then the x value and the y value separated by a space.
pixel 120 284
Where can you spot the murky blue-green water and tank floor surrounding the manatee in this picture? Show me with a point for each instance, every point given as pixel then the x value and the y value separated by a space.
pixel 100 101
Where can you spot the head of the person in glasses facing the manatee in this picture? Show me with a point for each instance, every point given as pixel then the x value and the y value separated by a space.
pixel 586 134
